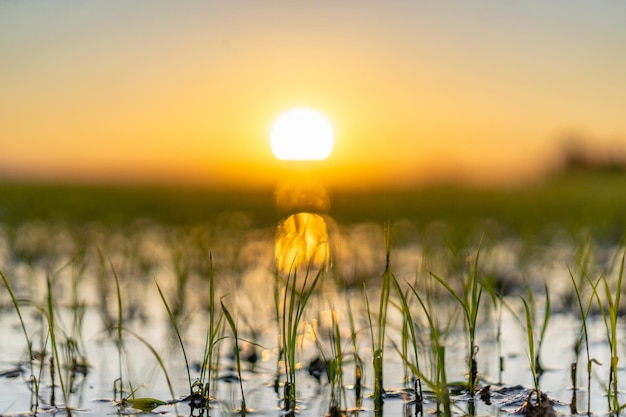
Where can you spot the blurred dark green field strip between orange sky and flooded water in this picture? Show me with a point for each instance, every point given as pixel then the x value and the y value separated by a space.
pixel 580 202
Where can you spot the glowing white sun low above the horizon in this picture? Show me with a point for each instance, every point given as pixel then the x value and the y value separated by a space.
pixel 302 134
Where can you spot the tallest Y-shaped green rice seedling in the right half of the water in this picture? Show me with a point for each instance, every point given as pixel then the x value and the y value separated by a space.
pixel 469 300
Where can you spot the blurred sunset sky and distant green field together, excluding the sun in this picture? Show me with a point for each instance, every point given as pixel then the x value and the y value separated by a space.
pixel 505 111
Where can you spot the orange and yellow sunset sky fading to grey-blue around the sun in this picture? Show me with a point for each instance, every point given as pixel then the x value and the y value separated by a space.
pixel 186 92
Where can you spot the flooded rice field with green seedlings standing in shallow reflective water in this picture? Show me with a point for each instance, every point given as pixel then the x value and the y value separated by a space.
pixel 203 319
